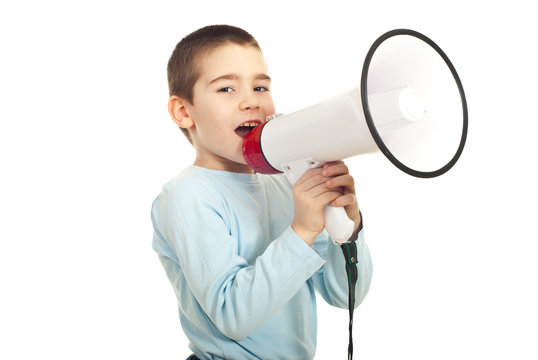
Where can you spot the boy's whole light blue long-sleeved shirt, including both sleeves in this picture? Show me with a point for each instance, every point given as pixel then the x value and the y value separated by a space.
pixel 243 279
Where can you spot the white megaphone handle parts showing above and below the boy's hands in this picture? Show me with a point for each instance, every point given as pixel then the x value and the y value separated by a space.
pixel 339 226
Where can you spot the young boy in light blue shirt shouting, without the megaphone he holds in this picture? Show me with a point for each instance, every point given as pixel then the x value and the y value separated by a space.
pixel 244 251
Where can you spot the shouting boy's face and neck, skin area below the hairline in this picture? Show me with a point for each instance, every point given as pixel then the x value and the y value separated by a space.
pixel 232 90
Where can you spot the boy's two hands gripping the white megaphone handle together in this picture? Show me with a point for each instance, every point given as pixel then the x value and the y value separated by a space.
pixel 330 184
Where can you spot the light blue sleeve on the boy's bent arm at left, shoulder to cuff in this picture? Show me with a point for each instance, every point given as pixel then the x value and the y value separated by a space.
pixel 237 297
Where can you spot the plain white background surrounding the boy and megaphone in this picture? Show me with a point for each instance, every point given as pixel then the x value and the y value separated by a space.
pixel 86 143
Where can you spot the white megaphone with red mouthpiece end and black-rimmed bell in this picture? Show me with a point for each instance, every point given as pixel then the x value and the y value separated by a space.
pixel 410 105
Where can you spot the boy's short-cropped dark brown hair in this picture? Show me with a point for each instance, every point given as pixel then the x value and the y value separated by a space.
pixel 183 70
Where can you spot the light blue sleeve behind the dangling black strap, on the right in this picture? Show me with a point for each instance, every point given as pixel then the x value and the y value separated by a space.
pixel 331 280
